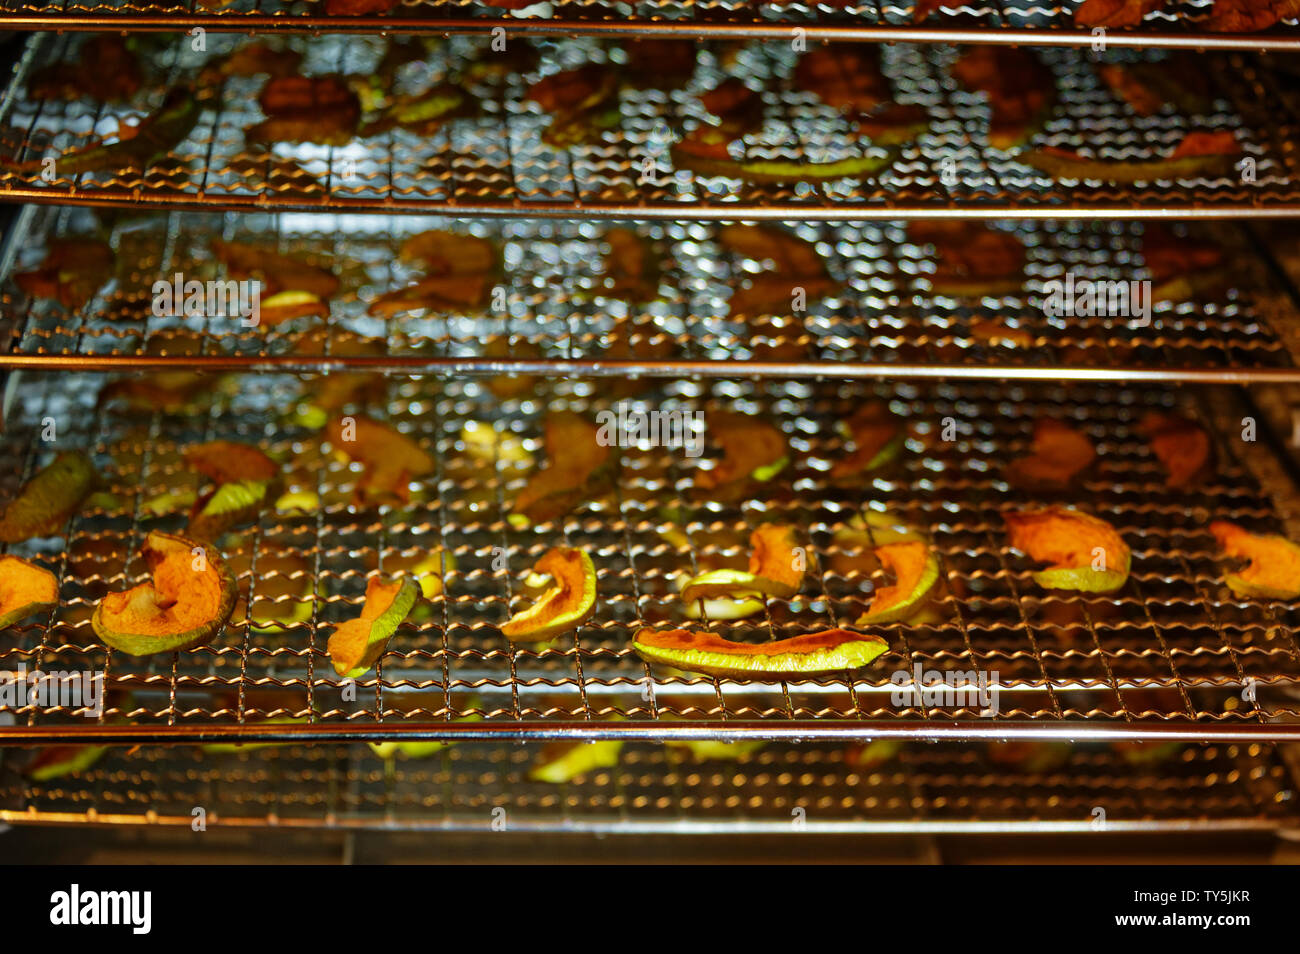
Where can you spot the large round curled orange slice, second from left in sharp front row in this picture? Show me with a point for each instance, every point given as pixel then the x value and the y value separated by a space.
pixel 188 601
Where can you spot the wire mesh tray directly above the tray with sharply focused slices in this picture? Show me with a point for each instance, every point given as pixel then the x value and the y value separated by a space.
pixel 554 303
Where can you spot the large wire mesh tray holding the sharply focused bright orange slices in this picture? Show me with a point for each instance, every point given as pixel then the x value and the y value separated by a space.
pixel 1175 645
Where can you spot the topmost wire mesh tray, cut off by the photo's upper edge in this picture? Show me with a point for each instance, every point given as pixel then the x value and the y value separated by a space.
pixel 1006 21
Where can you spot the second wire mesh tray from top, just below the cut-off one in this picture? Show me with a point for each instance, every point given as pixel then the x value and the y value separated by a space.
pixel 499 164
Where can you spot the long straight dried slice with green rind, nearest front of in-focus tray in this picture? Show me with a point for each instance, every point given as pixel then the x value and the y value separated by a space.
pixel 814 654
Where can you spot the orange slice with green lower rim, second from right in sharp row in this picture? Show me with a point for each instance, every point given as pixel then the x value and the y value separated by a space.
pixel 1085 553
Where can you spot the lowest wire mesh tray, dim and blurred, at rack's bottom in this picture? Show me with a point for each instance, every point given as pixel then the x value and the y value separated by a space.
pixel 807 788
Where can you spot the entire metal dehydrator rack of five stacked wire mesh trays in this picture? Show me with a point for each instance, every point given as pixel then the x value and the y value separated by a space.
pixel 1175 658
